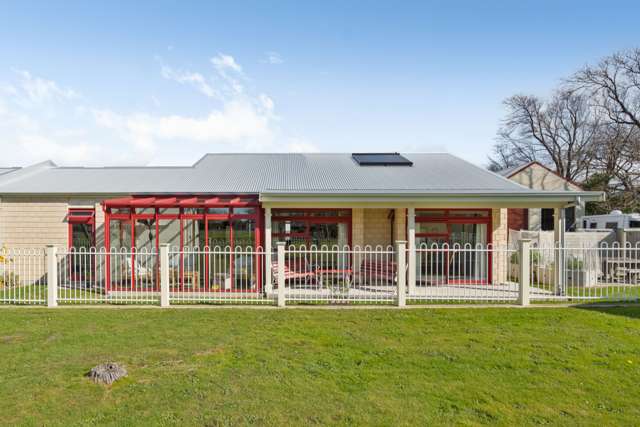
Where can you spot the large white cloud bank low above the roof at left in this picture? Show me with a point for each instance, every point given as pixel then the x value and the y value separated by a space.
pixel 41 119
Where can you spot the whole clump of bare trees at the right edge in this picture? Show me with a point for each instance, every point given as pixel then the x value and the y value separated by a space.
pixel 589 131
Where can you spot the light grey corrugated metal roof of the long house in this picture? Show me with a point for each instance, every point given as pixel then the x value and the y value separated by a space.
pixel 256 173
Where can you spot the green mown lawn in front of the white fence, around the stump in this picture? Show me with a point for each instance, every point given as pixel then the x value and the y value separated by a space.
pixel 308 366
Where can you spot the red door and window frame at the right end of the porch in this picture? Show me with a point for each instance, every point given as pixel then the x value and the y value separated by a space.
pixel 447 219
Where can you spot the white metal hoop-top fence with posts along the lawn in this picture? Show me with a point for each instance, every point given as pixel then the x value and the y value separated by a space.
pixel 312 275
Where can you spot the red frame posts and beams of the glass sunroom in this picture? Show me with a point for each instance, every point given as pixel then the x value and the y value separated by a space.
pixel 157 203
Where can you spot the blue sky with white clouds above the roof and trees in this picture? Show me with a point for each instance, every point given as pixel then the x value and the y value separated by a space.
pixel 163 82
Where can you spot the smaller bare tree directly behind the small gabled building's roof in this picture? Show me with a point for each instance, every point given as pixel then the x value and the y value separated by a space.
pixel 558 133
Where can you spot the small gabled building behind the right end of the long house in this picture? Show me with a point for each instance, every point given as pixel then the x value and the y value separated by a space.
pixel 536 176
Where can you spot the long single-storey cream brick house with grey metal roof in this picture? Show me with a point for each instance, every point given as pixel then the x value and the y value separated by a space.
pixel 256 200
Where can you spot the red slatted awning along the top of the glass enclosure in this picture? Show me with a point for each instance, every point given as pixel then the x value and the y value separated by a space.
pixel 181 201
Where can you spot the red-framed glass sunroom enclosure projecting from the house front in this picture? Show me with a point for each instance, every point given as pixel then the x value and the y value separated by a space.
pixel 218 236
